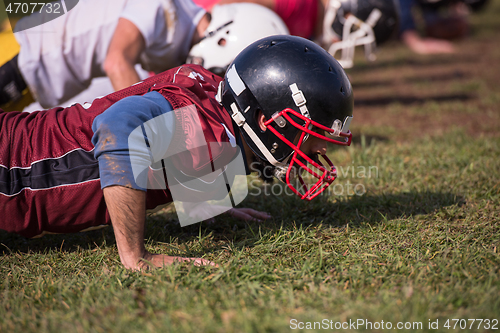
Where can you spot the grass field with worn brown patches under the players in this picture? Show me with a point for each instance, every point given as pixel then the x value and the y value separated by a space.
pixel 409 234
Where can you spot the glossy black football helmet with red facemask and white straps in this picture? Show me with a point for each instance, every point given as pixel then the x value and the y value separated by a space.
pixel 301 90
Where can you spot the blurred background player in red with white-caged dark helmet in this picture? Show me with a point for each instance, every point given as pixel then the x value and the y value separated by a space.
pixel 336 25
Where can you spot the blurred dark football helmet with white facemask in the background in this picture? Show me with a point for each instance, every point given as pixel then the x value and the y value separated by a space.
pixel 349 23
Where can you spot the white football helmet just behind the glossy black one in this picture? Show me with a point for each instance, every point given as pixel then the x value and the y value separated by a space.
pixel 232 28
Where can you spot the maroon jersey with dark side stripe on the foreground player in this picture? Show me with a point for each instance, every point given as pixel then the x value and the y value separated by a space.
pixel 49 178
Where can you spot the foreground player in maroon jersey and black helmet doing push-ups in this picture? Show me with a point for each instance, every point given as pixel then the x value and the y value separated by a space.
pixel 183 136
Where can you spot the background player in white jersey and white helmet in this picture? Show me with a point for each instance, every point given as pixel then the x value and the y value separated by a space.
pixel 124 40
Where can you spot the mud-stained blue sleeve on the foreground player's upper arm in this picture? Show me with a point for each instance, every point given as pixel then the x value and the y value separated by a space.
pixel 123 149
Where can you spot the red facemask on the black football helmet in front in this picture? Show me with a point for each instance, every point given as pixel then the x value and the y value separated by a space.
pixel 324 175
